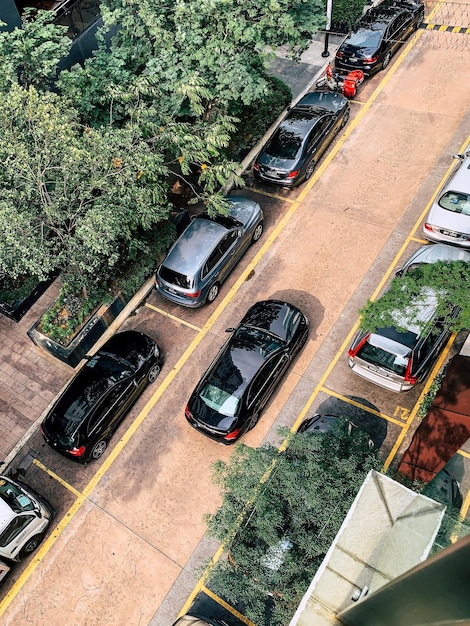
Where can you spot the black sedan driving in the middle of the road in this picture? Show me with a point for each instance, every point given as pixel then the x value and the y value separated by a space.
pixel 229 398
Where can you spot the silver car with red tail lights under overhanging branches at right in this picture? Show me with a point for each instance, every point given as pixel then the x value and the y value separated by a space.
pixel 396 359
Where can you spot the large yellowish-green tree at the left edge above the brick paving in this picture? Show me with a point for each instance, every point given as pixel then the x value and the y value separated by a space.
pixel 73 199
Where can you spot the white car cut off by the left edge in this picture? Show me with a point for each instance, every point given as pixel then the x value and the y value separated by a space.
pixel 24 518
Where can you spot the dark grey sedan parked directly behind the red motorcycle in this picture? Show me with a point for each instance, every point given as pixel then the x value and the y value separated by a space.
pixel 291 154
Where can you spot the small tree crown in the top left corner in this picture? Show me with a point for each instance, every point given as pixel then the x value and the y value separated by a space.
pixel 30 54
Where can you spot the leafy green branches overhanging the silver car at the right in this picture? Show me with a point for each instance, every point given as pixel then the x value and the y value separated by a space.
pixel 450 282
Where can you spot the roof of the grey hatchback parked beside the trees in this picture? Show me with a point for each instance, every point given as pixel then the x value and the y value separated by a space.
pixel 195 244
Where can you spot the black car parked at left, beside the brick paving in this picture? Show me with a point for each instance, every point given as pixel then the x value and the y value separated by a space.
pixel 88 411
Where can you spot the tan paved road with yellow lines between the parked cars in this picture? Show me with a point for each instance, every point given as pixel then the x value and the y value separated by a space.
pixel 130 534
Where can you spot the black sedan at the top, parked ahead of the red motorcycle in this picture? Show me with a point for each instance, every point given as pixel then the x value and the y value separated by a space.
pixel 378 34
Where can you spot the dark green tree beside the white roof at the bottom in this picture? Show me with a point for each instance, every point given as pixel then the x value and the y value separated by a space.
pixel 301 496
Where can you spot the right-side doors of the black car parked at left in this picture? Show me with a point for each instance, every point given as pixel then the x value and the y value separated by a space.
pixel 111 410
